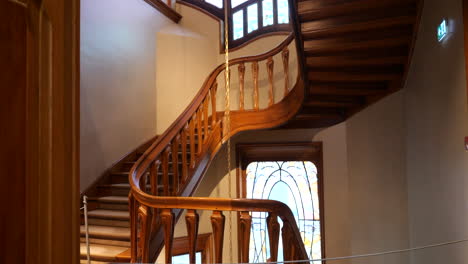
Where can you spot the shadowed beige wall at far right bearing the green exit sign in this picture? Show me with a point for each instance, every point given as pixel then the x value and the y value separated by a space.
pixel 437 121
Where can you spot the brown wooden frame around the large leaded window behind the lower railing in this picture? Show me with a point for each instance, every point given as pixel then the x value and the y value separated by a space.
pixel 284 151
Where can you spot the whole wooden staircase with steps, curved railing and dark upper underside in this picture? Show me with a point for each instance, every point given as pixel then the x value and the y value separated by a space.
pixel 350 53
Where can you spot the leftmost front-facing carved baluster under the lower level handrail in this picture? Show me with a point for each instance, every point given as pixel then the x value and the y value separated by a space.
pixel 144 216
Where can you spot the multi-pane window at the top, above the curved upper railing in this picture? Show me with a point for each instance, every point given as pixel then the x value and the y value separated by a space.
pixel 249 19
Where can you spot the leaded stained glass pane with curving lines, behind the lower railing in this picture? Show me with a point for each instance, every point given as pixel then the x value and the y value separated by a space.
pixel 294 183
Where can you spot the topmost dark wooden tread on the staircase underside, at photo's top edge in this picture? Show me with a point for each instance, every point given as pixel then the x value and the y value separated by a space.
pixel 308 10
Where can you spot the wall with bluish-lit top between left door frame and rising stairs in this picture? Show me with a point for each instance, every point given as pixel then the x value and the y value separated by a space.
pixel 118 92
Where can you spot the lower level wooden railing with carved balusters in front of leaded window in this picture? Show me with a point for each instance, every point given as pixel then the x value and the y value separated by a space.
pixel 293 247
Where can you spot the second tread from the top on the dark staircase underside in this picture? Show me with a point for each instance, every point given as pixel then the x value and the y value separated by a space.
pixel 310 30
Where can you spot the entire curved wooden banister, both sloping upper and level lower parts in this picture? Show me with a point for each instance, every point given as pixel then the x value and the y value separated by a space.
pixel 173 166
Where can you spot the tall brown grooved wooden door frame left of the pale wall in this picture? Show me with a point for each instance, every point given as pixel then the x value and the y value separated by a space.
pixel 52 131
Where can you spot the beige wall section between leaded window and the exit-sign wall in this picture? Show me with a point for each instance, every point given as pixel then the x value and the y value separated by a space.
pixel 378 211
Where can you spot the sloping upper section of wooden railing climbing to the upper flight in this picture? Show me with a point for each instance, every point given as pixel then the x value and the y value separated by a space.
pixel 175 163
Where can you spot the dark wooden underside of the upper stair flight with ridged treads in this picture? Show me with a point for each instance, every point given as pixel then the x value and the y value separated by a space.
pixel 357 52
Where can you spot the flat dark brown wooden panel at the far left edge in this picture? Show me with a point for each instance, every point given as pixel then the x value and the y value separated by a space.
pixel 13 128
